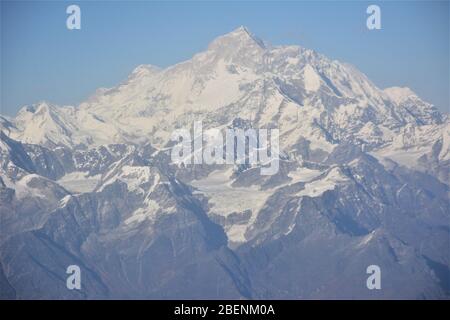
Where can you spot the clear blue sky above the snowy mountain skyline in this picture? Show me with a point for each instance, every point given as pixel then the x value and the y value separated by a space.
pixel 42 60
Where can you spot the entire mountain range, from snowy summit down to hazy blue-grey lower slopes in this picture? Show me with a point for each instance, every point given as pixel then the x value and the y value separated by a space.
pixel 363 180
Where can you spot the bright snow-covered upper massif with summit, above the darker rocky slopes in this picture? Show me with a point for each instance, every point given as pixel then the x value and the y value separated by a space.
pixel 303 93
